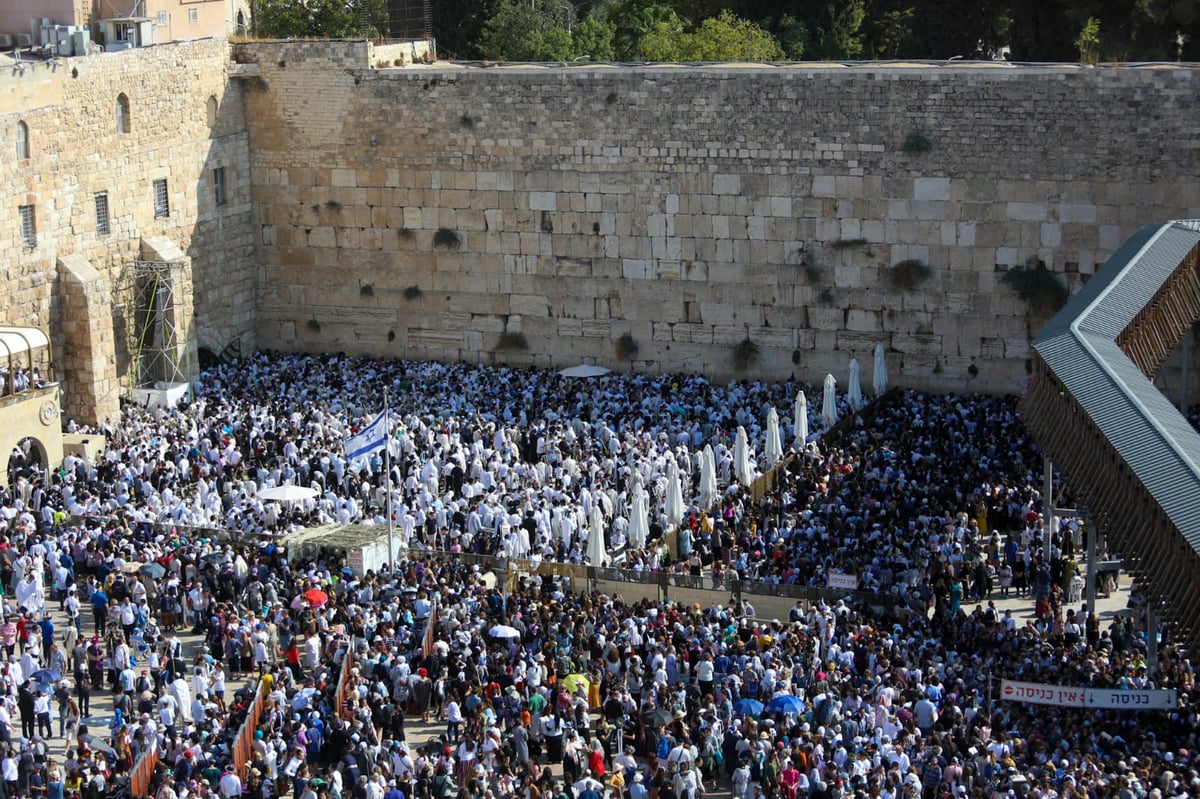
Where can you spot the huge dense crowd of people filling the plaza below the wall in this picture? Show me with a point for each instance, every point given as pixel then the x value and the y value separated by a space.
pixel 932 501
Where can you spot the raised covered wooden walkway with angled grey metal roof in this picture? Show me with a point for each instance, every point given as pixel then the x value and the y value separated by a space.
pixel 1094 410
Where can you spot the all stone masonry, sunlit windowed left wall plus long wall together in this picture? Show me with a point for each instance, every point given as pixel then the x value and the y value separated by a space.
pixel 425 213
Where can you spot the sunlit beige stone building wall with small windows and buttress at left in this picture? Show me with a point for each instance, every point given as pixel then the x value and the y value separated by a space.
pixel 185 121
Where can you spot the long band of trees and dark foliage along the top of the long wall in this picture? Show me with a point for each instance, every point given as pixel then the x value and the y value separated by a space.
pixel 701 31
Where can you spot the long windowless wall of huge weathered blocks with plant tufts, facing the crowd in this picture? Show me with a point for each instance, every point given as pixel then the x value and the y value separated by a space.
pixel 425 213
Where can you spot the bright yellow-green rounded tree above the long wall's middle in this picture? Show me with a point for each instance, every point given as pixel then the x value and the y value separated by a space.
pixel 718 39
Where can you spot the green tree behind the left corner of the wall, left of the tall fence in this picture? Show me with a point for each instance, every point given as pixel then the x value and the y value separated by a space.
pixel 321 19
